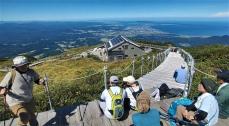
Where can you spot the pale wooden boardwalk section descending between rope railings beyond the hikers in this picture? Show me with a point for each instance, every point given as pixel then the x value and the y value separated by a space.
pixel 164 73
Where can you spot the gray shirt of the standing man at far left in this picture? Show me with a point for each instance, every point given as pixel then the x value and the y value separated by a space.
pixel 22 87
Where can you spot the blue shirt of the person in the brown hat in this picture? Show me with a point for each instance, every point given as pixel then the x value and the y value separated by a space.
pixel 151 118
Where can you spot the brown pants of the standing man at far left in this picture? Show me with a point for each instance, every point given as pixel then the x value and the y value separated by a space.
pixel 25 113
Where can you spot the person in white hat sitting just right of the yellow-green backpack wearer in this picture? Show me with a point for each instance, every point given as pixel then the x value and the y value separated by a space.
pixel 133 89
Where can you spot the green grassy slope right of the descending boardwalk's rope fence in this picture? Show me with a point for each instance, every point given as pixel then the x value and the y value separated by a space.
pixel 207 59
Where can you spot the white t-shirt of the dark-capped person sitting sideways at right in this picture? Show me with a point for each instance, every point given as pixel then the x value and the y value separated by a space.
pixel 207 102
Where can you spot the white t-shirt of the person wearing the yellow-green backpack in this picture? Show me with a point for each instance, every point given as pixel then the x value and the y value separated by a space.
pixel 106 96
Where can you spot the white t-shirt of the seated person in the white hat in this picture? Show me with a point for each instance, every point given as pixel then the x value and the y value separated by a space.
pixel 130 95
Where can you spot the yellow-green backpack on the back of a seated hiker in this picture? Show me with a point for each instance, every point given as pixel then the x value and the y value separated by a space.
pixel 117 109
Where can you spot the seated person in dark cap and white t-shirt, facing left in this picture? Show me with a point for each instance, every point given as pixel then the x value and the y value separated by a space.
pixel 205 108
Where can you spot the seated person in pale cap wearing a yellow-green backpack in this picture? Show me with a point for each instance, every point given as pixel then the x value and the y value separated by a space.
pixel 112 100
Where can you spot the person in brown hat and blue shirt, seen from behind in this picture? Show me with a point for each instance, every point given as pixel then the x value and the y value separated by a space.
pixel 147 116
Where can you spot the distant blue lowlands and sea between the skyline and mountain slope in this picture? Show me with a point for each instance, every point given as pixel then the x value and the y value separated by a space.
pixel 41 39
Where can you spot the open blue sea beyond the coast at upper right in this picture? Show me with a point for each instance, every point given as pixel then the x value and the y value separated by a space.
pixel 195 28
